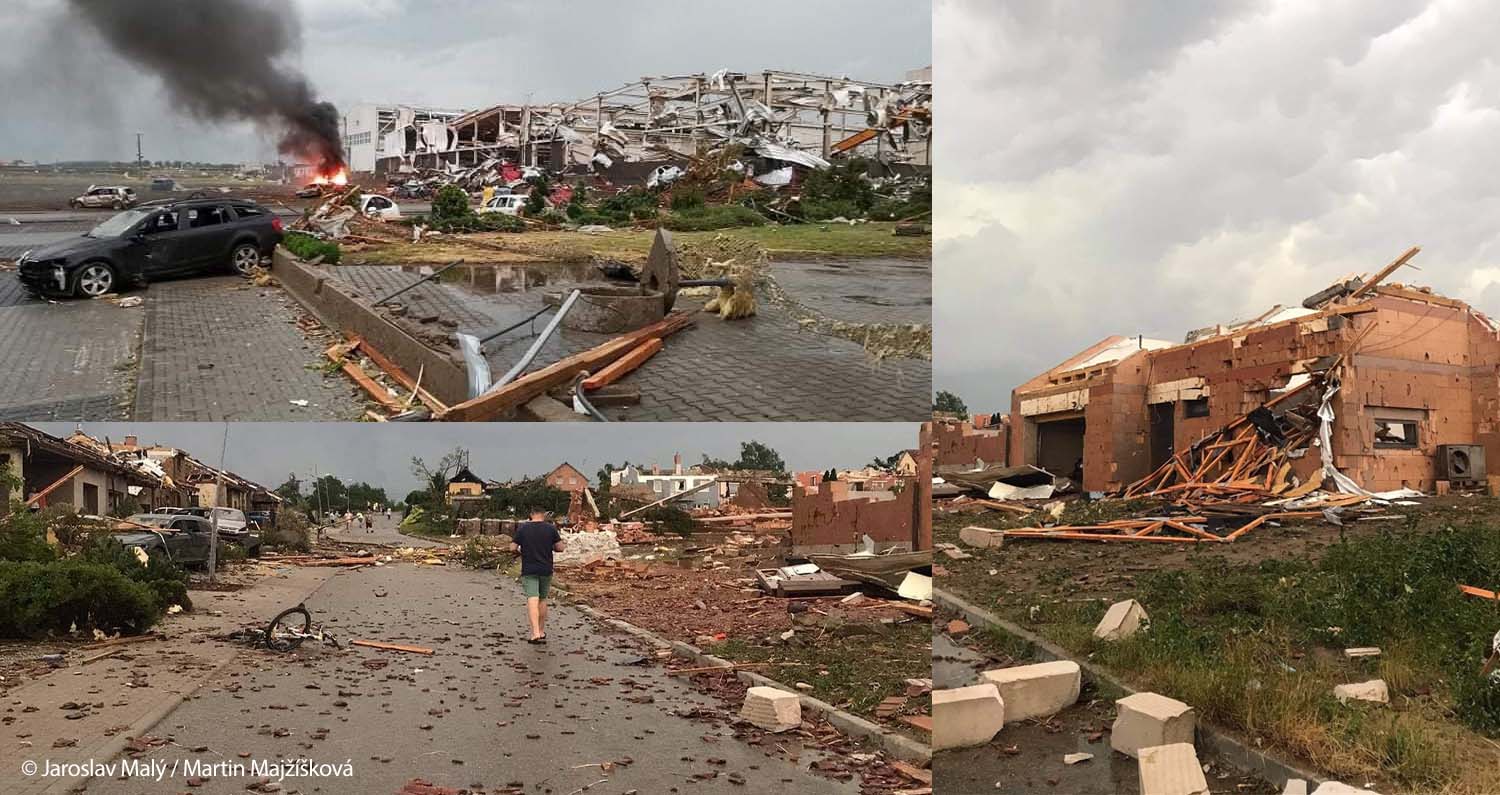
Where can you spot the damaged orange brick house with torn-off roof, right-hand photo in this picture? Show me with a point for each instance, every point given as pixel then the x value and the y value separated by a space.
pixel 1415 401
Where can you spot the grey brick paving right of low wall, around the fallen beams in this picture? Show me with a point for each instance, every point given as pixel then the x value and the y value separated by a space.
pixel 757 370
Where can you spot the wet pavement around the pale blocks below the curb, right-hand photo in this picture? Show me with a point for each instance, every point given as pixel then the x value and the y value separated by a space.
pixel 1027 758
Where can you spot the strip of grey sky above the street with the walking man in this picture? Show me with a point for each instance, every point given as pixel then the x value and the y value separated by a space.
pixel 382 454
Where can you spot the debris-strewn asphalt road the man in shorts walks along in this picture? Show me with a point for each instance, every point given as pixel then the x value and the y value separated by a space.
pixel 488 712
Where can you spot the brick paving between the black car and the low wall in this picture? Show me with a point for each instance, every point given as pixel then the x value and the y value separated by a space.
pixel 220 349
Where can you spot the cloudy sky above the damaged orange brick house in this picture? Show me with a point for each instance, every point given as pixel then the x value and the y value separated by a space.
pixel 1154 167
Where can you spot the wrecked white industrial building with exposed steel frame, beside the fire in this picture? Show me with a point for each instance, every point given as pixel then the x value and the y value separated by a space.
pixel 649 128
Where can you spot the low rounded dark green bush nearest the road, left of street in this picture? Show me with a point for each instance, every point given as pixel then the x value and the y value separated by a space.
pixel 40 599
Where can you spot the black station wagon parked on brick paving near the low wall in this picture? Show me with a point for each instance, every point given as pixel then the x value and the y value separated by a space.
pixel 167 238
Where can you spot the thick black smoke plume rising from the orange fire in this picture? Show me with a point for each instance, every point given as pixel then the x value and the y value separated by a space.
pixel 224 62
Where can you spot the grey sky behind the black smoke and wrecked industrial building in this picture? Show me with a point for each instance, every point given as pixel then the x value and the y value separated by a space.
pixel 67 98
